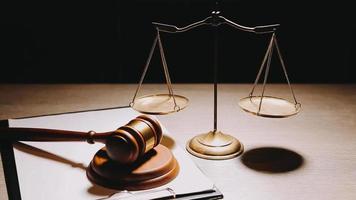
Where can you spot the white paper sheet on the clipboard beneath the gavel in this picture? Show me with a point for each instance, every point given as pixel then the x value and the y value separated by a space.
pixel 56 170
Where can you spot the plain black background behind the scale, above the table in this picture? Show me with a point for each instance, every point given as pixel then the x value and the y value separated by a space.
pixel 109 41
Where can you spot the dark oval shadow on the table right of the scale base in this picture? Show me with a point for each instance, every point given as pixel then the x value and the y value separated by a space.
pixel 272 159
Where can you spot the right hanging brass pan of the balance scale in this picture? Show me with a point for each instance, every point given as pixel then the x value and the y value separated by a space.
pixel 271 106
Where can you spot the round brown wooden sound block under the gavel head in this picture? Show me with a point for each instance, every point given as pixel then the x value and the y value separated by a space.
pixel 157 167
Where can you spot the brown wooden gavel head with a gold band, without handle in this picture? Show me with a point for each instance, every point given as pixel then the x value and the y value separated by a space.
pixel 133 140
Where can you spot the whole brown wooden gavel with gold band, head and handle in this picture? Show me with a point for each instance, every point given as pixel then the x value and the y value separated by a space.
pixel 124 145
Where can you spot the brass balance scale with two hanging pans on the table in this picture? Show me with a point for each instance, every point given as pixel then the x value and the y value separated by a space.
pixel 215 144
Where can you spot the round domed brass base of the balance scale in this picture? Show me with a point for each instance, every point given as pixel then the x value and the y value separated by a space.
pixel 214 145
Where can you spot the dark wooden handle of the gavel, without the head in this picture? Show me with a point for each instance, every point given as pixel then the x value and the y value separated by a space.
pixel 38 134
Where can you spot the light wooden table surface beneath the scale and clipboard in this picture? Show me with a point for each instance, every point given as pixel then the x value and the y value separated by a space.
pixel 308 156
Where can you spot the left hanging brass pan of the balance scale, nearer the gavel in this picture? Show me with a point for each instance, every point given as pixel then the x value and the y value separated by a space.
pixel 159 104
